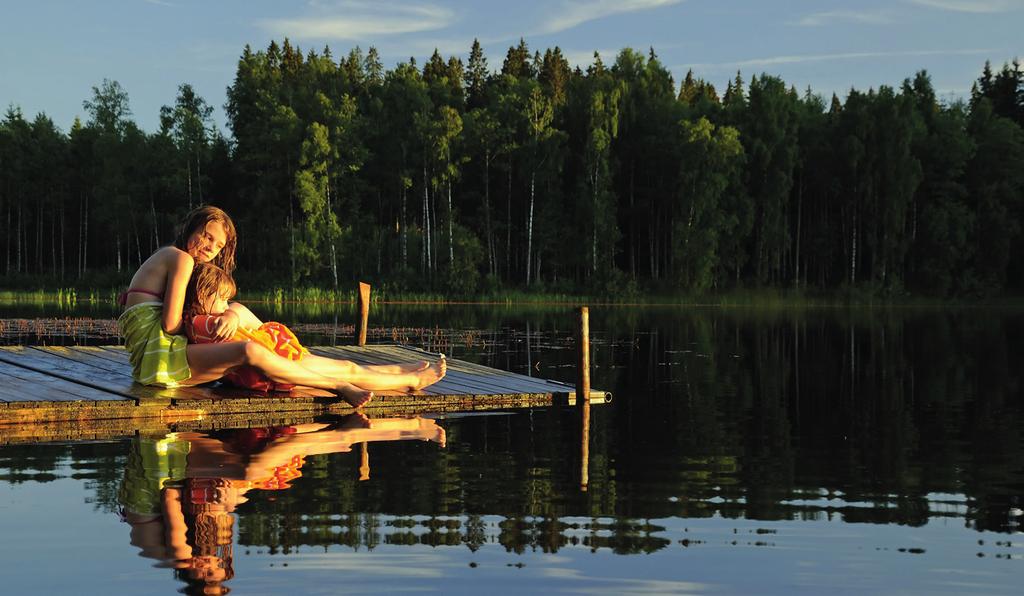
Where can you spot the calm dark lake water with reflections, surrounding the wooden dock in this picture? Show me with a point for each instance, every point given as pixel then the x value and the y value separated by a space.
pixel 859 451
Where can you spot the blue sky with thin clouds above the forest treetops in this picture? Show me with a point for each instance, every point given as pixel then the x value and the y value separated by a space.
pixel 53 53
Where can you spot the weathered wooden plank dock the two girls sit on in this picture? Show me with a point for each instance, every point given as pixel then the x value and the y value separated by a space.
pixel 92 388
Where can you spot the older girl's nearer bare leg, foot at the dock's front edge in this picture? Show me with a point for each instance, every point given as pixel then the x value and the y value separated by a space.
pixel 211 361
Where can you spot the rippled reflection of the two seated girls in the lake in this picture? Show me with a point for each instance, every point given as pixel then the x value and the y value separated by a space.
pixel 180 491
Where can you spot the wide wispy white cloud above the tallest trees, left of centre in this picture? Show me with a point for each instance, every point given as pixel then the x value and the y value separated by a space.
pixel 359 21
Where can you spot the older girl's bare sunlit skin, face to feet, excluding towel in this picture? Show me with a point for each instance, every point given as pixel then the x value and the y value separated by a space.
pixel 167 272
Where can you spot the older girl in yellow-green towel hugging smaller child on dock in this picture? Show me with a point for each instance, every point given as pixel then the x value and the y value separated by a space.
pixel 160 355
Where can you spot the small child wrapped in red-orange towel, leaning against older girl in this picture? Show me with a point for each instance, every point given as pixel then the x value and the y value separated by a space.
pixel 206 300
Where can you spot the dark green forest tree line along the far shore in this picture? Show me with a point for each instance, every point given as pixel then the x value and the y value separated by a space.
pixel 458 178
